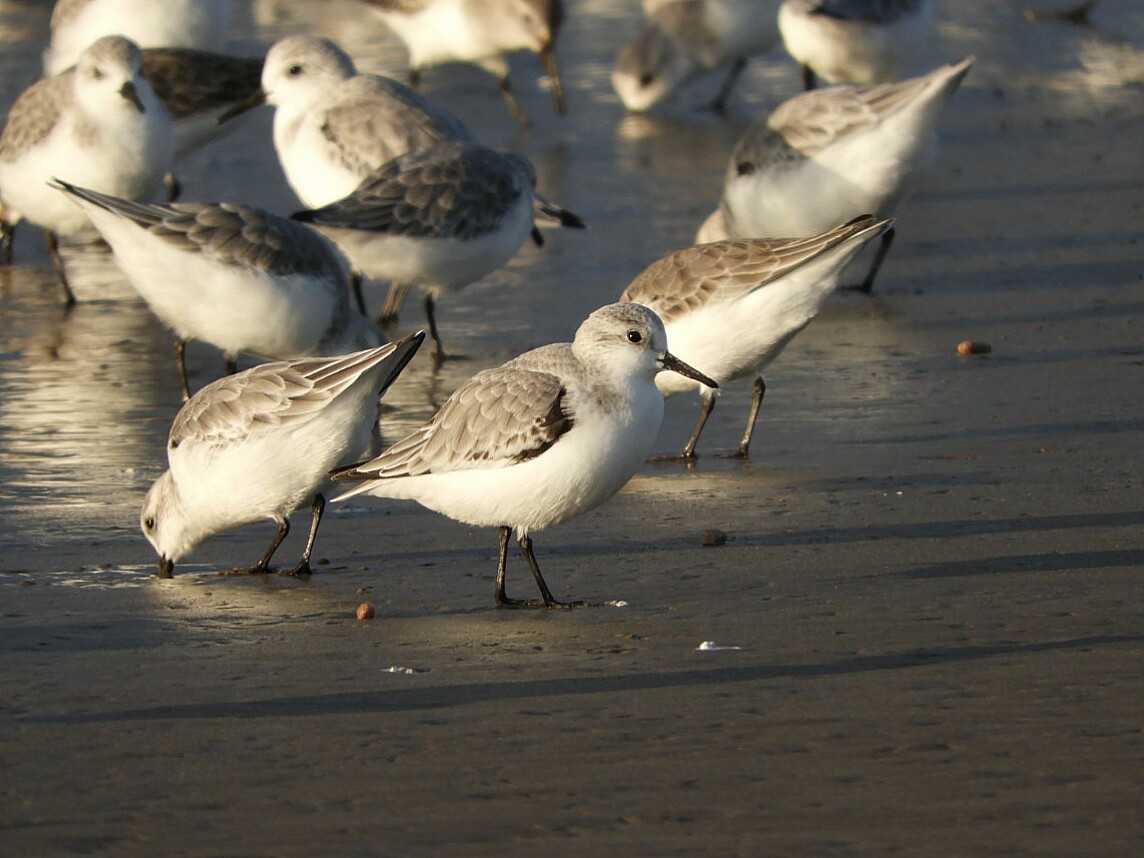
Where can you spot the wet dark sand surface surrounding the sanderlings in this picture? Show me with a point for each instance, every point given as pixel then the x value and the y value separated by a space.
pixel 933 565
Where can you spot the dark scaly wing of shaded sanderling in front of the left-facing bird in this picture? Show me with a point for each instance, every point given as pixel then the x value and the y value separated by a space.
pixel 452 190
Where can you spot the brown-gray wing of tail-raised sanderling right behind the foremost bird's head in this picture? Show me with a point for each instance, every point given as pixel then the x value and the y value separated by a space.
pixel 686 281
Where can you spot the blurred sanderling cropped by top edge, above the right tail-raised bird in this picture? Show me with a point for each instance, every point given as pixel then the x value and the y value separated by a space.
pixel 853 42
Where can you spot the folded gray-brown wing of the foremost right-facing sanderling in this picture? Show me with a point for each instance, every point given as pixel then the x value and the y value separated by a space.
pixel 499 418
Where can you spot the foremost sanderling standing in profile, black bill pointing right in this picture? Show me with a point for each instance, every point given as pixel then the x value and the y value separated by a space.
pixel 545 438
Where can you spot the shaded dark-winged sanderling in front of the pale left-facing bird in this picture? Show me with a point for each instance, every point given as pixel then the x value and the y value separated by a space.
pixel 440 219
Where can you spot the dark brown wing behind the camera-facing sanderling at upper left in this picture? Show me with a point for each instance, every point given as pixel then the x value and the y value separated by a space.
pixel 195 82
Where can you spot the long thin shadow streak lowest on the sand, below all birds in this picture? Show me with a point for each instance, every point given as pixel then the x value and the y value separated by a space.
pixel 394 701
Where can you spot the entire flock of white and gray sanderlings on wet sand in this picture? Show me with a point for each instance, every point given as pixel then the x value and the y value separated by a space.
pixel 396 192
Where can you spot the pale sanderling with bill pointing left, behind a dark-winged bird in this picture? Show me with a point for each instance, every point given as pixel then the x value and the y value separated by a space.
pixel 333 126
